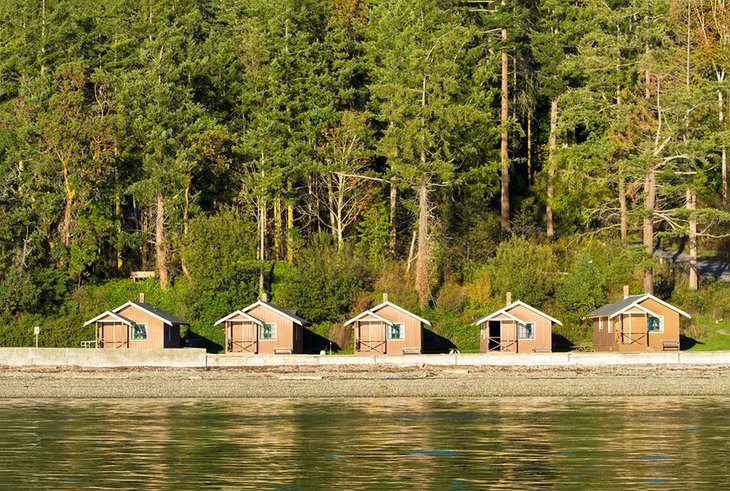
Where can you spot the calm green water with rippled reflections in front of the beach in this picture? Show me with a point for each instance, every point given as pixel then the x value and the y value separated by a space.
pixel 632 443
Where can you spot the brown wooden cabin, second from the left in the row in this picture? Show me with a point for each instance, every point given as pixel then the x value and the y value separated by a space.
pixel 263 328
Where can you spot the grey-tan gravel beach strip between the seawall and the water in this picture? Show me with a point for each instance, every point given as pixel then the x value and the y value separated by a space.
pixel 356 381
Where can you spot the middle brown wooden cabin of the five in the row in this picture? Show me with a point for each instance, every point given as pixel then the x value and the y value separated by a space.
pixel 388 329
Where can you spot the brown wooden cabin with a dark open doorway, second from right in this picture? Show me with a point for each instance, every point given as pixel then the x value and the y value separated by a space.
pixel 516 328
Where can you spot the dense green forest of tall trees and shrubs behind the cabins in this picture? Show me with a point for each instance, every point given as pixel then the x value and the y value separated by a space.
pixel 325 151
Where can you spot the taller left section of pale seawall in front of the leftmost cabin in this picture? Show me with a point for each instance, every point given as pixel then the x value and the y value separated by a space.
pixel 101 358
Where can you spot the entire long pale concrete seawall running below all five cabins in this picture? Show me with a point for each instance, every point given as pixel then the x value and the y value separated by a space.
pixel 197 358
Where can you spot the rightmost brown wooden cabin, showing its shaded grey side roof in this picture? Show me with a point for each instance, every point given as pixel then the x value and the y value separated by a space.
pixel 636 323
